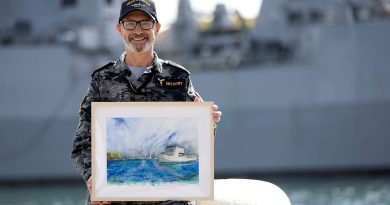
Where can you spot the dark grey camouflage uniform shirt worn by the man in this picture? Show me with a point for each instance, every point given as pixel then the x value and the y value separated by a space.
pixel 163 81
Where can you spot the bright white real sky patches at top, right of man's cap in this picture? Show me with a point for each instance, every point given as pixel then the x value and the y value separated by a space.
pixel 167 9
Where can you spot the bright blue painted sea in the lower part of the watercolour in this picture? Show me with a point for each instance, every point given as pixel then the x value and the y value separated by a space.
pixel 151 172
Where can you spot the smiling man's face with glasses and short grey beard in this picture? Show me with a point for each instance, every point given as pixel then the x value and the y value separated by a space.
pixel 138 40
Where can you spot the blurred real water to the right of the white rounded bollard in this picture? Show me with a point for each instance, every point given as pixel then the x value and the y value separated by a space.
pixel 338 190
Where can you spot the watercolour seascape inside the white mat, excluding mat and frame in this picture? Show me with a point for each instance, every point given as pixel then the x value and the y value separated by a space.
pixel 152 151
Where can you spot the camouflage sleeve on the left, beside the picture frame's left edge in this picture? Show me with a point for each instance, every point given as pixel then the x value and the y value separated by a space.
pixel 81 153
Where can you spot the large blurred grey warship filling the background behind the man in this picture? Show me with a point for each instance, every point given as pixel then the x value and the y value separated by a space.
pixel 303 89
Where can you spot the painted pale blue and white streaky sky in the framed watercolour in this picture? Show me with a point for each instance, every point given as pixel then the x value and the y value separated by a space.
pixel 151 135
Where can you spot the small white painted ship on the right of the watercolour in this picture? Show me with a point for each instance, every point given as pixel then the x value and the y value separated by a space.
pixel 176 154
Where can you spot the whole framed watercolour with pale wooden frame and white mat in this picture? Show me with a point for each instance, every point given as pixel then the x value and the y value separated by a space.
pixel 152 151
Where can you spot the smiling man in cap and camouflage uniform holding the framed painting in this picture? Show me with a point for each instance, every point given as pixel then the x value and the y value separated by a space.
pixel 138 75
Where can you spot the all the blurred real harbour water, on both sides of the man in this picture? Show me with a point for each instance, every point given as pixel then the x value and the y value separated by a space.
pixel 326 190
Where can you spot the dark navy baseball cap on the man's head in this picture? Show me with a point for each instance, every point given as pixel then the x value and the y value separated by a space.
pixel 146 6
